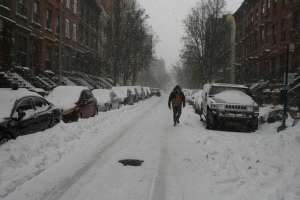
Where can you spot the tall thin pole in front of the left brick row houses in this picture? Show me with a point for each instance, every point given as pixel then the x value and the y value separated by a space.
pixel 61 38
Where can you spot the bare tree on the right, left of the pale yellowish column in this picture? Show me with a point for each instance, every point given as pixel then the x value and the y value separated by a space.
pixel 201 55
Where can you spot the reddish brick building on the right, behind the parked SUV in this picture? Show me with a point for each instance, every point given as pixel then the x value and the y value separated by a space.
pixel 264 30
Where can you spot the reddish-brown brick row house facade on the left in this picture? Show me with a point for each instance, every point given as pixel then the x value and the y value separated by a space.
pixel 30 34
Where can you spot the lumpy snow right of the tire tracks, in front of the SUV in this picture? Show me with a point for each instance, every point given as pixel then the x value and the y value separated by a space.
pixel 231 165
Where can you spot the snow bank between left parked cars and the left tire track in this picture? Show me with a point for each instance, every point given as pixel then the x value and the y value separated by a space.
pixel 32 156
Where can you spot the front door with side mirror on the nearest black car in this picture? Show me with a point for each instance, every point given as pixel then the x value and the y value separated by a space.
pixel 24 114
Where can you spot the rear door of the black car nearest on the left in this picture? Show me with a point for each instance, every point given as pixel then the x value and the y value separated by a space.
pixel 43 113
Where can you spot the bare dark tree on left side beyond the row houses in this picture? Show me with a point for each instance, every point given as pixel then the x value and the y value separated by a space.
pixel 130 42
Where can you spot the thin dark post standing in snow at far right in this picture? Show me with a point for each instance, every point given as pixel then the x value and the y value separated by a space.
pixel 289 50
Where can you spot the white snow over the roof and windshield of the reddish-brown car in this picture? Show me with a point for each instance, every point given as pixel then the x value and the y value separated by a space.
pixel 65 97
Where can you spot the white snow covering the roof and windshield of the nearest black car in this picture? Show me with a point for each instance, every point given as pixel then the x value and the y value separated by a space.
pixel 8 98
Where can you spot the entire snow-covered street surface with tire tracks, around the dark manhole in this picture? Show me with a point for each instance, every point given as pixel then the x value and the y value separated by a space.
pixel 80 160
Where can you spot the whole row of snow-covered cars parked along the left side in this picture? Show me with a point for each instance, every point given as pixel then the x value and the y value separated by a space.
pixel 25 112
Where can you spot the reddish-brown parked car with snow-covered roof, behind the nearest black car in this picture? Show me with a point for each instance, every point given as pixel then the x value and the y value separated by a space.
pixel 75 101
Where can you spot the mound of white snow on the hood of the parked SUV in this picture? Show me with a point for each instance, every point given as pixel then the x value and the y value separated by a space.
pixel 235 96
